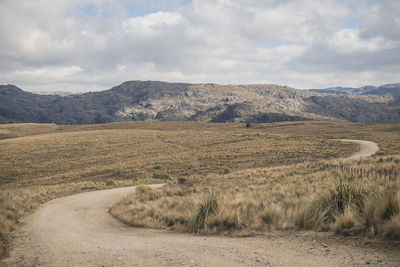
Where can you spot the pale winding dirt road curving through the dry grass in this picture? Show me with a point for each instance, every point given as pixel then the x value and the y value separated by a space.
pixel 78 231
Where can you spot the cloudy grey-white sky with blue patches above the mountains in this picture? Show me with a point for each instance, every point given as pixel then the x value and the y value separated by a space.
pixel 89 45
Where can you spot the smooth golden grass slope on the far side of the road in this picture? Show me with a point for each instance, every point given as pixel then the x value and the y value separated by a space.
pixel 53 158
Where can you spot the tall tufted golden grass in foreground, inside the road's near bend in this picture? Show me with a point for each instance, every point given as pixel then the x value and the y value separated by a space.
pixel 347 197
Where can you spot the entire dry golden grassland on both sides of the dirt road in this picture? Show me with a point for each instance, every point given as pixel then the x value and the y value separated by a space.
pixel 220 177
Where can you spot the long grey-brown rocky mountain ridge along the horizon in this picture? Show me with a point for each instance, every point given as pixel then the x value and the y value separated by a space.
pixel 150 100
